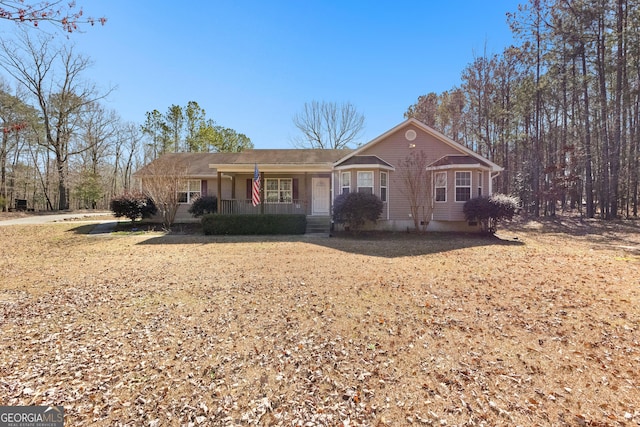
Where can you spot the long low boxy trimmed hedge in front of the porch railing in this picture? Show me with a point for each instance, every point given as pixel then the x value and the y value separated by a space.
pixel 253 224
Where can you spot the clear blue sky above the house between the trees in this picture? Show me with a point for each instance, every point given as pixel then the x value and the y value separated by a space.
pixel 253 64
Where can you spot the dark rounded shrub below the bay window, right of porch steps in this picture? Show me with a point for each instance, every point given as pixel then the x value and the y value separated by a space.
pixel 355 209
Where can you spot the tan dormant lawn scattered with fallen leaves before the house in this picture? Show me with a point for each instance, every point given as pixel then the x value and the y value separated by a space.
pixel 538 327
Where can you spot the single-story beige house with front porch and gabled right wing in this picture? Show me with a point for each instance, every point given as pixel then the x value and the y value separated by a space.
pixel 307 181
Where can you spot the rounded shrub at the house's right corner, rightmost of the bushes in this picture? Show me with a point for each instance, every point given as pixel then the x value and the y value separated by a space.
pixel 488 210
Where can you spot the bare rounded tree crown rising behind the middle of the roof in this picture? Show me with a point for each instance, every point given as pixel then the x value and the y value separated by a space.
pixel 327 125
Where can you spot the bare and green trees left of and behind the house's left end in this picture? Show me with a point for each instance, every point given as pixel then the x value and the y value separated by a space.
pixel 61 148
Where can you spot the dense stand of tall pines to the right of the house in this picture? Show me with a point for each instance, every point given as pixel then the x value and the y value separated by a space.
pixel 559 111
